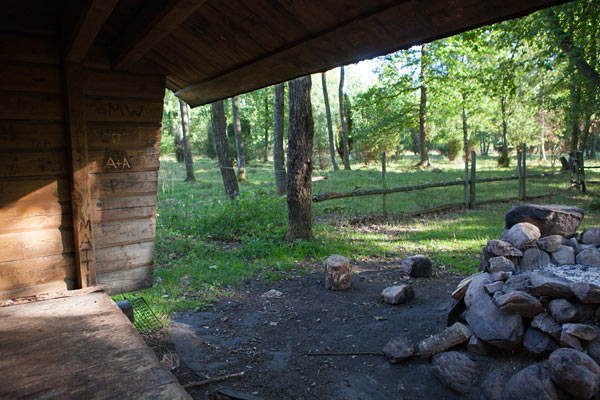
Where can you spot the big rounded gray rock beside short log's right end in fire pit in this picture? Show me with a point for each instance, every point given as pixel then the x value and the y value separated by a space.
pixel 499 328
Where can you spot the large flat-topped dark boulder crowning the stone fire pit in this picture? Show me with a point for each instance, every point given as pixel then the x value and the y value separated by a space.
pixel 550 219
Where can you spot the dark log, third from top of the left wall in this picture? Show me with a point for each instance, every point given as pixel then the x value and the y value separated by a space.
pixel 39 107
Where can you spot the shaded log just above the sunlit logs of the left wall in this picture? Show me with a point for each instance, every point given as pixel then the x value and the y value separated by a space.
pixel 24 163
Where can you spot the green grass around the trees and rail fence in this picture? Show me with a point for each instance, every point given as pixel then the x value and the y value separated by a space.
pixel 207 245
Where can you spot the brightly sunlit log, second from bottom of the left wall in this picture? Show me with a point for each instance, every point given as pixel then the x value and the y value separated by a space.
pixel 26 245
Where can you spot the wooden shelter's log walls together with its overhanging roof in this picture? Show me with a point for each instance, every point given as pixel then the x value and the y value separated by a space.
pixel 82 86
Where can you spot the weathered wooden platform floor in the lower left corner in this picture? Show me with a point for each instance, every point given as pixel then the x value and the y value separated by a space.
pixel 78 347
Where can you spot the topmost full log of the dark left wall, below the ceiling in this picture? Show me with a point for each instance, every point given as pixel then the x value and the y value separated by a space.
pixel 35 49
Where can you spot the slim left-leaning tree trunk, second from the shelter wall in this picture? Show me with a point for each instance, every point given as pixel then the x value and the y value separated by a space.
pixel 225 163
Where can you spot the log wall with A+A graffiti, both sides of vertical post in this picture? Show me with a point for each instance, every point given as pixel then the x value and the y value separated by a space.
pixel 123 114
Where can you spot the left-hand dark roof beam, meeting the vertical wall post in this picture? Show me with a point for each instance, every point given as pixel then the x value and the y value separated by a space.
pixel 91 18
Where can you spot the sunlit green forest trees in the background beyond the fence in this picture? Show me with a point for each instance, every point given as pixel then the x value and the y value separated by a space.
pixel 530 81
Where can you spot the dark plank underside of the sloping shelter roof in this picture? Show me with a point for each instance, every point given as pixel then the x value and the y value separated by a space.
pixel 213 49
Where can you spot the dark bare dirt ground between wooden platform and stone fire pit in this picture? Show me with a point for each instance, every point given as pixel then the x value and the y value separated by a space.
pixel 281 343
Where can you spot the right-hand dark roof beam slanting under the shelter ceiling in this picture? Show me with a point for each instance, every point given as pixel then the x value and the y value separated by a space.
pixel 151 26
